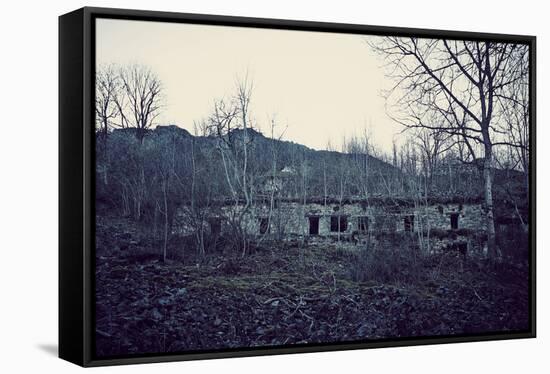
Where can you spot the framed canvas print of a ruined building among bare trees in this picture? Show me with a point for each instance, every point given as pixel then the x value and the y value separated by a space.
pixel 236 186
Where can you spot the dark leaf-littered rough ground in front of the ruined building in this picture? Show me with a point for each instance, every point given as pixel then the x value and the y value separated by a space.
pixel 285 294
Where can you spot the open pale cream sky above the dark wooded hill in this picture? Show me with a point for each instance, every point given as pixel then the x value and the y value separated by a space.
pixel 320 86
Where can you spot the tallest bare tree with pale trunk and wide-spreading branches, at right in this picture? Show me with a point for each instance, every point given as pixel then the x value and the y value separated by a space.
pixel 460 81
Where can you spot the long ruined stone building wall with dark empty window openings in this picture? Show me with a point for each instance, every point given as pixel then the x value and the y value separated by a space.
pixel 379 225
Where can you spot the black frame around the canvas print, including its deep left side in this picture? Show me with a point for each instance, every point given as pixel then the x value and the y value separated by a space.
pixel 76 181
